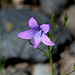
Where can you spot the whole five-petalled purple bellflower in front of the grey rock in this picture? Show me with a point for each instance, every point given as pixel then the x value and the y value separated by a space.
pixel 37 33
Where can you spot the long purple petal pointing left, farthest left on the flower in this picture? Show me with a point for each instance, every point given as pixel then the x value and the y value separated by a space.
pixel 27 34
